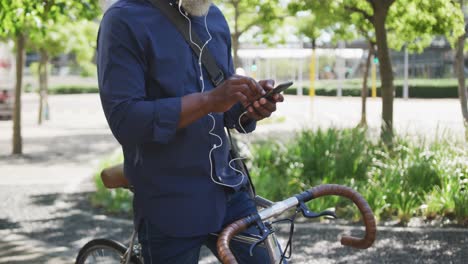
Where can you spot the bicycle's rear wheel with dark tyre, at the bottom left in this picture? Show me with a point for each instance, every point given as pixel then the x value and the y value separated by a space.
pixel 103 251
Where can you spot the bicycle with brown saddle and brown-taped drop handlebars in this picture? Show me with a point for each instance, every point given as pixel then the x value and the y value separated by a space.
pixel 110 251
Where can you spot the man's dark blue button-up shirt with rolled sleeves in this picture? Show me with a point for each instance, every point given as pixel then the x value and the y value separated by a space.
pixel 145 67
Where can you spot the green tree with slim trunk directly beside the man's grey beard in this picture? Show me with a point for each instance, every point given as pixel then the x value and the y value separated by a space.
pixel 245 15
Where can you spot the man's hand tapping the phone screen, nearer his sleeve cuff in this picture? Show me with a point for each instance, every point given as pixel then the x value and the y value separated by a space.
pixel 235 89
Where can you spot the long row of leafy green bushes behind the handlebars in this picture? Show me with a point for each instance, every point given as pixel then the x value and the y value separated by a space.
pixel 411 179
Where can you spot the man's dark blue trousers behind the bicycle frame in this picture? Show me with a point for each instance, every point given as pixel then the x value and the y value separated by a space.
pixel 159 248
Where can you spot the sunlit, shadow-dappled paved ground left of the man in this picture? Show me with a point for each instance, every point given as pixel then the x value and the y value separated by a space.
pixel 43 193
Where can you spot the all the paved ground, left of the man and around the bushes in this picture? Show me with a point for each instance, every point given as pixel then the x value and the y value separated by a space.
pixel 45 215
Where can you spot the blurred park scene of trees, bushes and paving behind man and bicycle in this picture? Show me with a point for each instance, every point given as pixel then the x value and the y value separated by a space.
pixel 379 103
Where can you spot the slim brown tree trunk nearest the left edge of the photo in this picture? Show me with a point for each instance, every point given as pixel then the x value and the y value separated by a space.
pixel 20 54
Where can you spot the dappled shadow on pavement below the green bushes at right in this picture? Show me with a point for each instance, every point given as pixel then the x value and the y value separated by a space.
pixel 315 244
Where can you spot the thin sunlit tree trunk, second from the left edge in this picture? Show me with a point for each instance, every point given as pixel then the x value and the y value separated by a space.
pixel 43 83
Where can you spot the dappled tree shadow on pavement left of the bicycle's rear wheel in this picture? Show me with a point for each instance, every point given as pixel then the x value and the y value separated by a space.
pixel 62 232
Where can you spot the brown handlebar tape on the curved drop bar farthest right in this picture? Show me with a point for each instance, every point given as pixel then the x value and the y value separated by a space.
pixel 364 208
